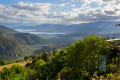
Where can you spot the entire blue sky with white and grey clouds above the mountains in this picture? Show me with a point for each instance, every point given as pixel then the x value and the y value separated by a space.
pixel 67 12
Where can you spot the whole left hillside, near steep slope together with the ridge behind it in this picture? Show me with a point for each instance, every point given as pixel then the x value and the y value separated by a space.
pixel 11 43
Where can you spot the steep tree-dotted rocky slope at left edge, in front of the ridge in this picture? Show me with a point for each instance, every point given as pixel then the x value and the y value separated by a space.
pixel 9 47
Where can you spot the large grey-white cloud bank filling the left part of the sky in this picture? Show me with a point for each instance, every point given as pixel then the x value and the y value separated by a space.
pixel 24 12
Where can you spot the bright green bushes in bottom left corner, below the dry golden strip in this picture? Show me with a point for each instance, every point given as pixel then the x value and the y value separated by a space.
pixel 17 72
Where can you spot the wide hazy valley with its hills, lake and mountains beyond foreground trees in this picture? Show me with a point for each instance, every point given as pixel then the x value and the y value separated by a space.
pixel 30 40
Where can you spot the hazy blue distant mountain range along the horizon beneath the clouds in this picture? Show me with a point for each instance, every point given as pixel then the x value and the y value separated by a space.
pixel 96 27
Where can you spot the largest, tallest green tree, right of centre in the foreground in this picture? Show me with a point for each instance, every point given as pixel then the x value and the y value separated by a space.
pixel 84 55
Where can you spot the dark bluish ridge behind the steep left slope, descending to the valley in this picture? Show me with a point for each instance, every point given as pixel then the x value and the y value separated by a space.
pixel 22 38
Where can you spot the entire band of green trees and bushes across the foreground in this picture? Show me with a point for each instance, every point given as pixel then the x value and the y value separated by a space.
pixel 83 60
